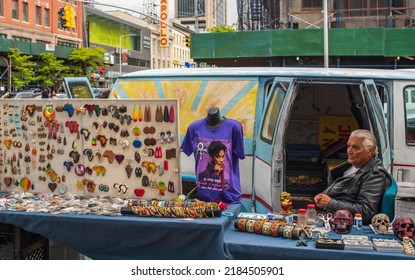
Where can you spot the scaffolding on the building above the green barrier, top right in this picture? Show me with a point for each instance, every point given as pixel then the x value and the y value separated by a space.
pixel 304 14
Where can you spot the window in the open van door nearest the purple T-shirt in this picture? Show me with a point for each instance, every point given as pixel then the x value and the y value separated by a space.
pixel 276 94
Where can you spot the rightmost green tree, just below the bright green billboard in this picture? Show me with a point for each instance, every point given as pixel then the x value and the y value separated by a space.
pixel 83 59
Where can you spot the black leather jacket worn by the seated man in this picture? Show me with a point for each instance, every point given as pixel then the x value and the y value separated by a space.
pixel 361 192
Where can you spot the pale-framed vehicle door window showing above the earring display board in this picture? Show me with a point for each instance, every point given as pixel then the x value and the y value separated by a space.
pixel 75 87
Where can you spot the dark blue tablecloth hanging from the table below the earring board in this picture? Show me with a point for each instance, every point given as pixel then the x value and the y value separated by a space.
pixel 130 237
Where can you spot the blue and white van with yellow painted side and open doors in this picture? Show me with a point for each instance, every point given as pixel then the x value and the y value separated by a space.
pixel 296 121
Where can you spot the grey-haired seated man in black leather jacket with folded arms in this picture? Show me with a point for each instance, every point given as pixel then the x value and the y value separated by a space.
pixel 361 191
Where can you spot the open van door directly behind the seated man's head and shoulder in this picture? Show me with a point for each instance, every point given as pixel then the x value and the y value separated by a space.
pixel 378 120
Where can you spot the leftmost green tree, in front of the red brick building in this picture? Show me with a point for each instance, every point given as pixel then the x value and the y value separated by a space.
pixel 23 69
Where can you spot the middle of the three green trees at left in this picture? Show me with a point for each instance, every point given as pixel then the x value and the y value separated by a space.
pixel 50 70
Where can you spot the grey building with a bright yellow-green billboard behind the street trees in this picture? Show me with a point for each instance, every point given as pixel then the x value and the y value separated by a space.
pixel 125 38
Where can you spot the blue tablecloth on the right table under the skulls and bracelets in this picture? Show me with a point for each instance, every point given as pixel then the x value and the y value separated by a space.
pixel 244 246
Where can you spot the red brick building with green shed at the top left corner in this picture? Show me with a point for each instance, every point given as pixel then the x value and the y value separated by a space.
pixel 33 27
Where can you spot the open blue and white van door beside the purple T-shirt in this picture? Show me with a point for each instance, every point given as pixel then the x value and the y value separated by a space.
pixel 269 154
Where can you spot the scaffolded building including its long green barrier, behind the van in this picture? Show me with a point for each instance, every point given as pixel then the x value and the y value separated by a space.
pixel 361 33
